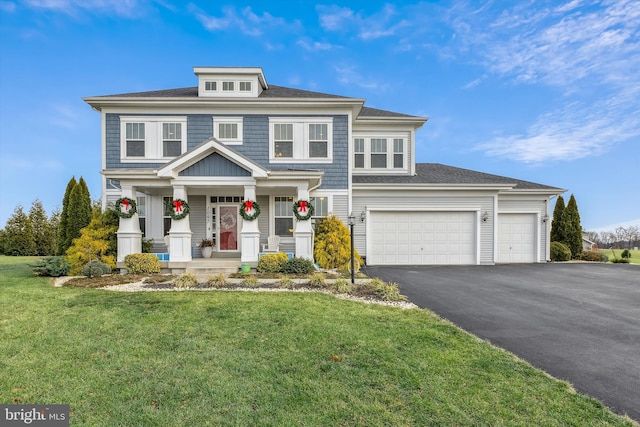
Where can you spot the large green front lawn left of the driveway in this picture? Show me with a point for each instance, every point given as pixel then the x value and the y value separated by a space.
pixel 269 359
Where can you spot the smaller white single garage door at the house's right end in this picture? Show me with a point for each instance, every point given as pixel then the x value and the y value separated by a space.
pixel 516 238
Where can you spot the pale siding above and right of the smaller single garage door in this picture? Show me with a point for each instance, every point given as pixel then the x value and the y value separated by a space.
pixel 529 204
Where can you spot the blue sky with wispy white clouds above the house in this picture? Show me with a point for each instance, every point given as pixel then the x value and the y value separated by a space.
pixel 545 91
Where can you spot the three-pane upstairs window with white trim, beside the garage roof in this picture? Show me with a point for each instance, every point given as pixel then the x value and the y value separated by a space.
pixel 380 153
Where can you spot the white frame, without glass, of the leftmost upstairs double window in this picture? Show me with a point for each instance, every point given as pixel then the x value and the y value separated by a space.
pixel 153 141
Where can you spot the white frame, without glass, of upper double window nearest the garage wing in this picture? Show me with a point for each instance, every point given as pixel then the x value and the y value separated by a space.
pixel 301 152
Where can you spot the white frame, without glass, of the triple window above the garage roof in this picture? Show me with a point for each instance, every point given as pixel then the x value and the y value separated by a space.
pixel 390 153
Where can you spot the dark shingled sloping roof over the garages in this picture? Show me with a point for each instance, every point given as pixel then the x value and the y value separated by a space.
pixel 439 174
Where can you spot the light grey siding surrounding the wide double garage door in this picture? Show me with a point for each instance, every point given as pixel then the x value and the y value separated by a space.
pixel 427 201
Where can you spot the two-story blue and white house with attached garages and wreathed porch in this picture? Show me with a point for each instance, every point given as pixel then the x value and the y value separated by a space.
pixel 234 142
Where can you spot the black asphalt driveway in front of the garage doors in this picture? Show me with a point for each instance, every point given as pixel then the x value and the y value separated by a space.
pixel 579 322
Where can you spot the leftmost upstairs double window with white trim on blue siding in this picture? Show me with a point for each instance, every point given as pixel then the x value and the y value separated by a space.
pixel 152 138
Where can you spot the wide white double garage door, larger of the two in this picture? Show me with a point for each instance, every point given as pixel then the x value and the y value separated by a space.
pixel 410 238
